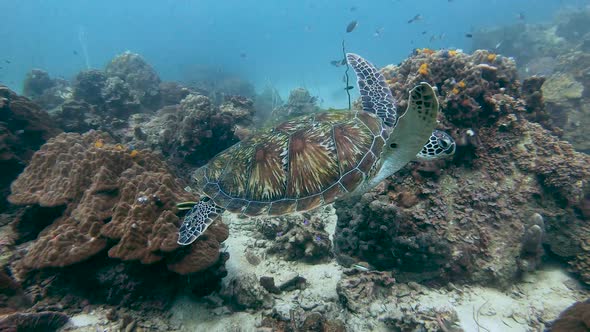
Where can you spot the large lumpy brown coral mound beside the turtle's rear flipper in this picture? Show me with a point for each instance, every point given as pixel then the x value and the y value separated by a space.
pixel 112 196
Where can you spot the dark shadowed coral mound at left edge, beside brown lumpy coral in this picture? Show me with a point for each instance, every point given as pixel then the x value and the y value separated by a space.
pixel 24 127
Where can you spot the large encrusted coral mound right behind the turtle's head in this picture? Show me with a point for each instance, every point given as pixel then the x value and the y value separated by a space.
pixel 457 219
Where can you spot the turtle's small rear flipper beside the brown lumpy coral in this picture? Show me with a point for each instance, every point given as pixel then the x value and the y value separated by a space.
pixel 196 221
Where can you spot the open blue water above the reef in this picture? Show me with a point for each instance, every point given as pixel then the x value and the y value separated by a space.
pixel 283 43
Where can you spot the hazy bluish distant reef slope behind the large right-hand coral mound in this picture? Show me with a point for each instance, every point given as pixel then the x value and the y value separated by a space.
pixel 559 51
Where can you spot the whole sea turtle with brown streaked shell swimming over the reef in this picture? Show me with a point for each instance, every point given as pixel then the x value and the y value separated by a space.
pixel 313 160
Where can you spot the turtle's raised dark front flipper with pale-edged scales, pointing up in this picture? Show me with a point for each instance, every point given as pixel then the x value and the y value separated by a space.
pixel 375 94
